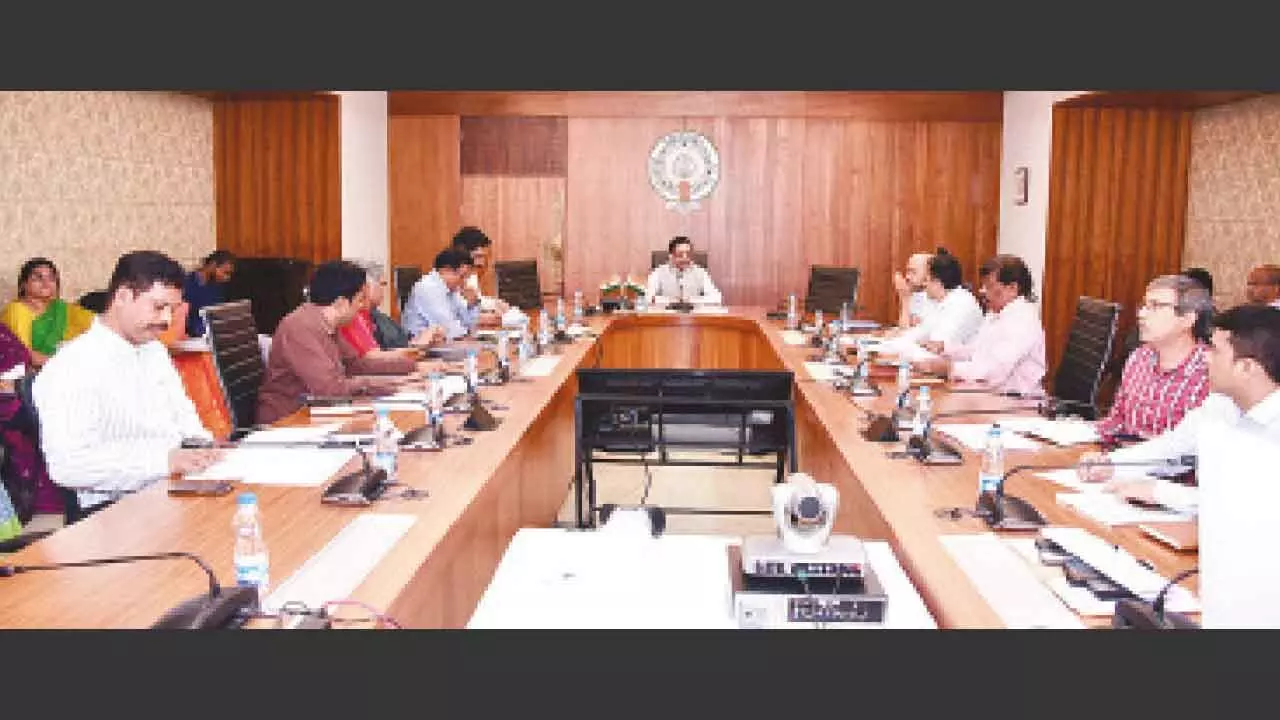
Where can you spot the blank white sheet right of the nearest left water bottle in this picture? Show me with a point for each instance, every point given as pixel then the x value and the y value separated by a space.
pixel 344 563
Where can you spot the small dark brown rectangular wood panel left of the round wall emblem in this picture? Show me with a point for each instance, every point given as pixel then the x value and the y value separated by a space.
pixel 514 147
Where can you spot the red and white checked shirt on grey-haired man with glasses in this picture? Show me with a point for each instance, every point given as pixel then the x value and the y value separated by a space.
pixel 1150 400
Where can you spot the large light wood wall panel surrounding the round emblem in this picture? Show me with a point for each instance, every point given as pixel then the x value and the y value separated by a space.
pixel 794 193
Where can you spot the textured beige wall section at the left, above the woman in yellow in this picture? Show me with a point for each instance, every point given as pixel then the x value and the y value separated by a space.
pixel 88 176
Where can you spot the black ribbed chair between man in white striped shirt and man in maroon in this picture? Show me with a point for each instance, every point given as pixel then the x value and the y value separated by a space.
pixel 239 359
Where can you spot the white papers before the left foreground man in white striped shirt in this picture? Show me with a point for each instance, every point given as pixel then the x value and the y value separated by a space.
pixel 301 467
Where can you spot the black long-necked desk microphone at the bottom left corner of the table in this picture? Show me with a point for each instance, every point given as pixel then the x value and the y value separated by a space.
pixel 216 610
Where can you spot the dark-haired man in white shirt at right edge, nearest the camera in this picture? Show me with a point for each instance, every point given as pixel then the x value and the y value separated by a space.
pixel 1245 376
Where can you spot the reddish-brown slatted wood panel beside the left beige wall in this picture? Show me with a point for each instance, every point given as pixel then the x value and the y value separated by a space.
pixel 278 177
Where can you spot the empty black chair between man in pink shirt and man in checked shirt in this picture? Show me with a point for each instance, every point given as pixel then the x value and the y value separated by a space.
pixel 1086 357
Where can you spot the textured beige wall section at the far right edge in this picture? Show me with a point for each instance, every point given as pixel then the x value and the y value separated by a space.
pixel 1233 208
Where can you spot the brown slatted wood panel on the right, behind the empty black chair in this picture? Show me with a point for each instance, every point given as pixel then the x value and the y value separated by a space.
pixel 1117 212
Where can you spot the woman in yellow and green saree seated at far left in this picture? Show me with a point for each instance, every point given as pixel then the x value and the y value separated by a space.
pixel 39 317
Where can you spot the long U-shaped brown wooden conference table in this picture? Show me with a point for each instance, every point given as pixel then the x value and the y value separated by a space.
pixel 519 476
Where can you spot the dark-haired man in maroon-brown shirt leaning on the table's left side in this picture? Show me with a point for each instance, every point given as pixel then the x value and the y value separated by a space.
pixel 309 358
